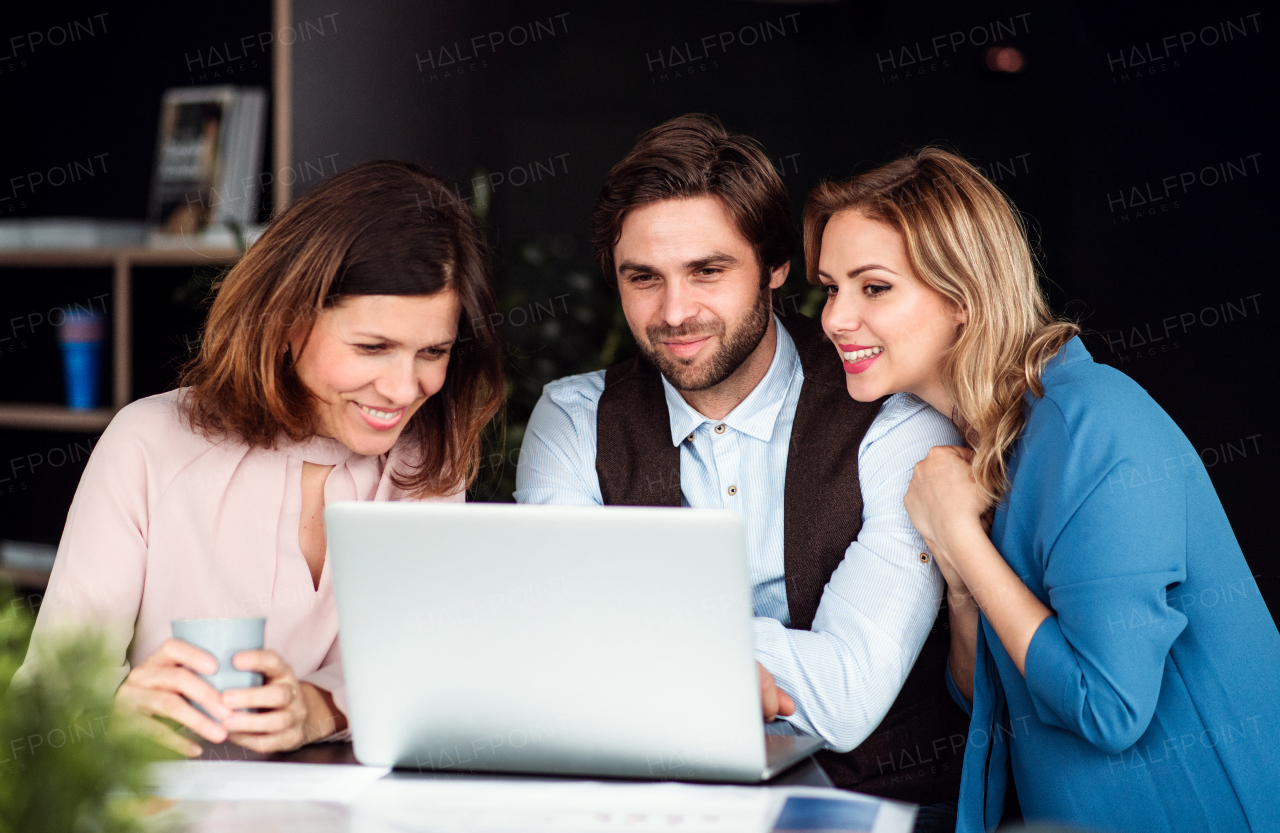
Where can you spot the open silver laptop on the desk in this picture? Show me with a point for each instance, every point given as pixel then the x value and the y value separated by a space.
pixel 560 640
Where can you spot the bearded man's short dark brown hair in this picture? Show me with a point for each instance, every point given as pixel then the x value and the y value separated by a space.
pixel 696 157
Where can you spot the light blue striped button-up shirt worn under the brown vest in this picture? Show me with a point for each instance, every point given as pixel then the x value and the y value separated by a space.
pixel 881 602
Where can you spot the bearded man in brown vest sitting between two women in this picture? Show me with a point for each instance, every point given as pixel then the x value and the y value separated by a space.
pixel 732 408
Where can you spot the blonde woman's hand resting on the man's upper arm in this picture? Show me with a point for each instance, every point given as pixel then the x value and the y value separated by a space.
pixel 948 507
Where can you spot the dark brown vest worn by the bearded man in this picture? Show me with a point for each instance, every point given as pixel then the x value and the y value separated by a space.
pixel 916 753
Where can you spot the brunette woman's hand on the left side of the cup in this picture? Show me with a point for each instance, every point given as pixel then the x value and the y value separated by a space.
pixel 162 686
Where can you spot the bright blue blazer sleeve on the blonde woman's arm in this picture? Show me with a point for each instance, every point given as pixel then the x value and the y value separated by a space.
pixel 1095 669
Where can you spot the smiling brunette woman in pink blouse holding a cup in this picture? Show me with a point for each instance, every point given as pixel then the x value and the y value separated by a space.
pixel 346 358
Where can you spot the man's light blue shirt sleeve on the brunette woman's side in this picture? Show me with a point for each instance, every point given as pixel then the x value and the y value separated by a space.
pixel 557 455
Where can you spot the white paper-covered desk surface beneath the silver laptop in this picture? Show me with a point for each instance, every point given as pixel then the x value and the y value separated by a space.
pixel 359 800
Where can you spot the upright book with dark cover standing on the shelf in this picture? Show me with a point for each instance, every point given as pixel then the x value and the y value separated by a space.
pixel 209 159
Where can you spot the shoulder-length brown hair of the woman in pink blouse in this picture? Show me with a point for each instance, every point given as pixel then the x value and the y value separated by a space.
pixel 381 228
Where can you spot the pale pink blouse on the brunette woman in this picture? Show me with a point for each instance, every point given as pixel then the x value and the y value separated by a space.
pixel 170 525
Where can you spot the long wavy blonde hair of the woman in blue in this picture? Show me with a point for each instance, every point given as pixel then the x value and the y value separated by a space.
pixel 967 242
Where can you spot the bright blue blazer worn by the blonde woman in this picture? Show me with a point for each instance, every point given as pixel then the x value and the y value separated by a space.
pixel 1153 697
